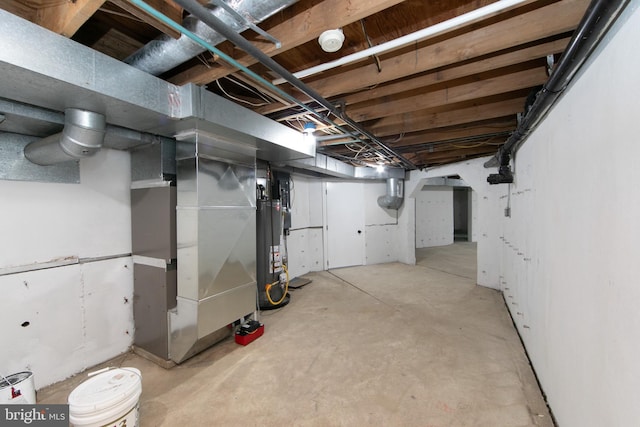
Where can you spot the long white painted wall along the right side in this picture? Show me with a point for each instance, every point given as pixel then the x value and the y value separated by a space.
pixel 571 247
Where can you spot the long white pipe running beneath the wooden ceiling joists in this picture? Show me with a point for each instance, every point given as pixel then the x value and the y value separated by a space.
pixel 434 30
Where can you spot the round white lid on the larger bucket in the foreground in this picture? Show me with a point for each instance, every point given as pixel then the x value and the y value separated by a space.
pixel 105 391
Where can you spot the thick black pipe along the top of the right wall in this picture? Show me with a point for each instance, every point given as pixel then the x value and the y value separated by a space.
pixel 592 27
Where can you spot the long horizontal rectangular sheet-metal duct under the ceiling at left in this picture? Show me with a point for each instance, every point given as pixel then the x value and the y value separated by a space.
pixel 43 69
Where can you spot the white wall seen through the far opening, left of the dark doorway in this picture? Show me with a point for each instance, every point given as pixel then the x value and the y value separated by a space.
pixel 434 217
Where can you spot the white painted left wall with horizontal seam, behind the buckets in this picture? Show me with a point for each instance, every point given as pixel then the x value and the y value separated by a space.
pixel 77 314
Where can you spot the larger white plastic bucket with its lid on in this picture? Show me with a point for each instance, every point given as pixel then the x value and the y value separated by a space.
pixel 107 399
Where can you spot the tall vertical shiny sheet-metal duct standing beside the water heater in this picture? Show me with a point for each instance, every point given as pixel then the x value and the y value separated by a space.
pixel 216 240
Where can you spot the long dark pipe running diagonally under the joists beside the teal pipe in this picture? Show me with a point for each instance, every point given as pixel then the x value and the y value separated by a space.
pixel 202 13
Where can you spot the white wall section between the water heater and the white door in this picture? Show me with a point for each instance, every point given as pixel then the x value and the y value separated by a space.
pixel 304 243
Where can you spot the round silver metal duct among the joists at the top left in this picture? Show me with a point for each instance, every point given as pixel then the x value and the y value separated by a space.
pixel 165 53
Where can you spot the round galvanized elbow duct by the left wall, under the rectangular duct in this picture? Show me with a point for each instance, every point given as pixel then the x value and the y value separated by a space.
pixel 81 137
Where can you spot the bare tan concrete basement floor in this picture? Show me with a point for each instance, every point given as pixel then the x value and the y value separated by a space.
pixel 382 345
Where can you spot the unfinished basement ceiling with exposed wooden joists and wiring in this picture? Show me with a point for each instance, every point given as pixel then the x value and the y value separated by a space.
pixel 451 97
